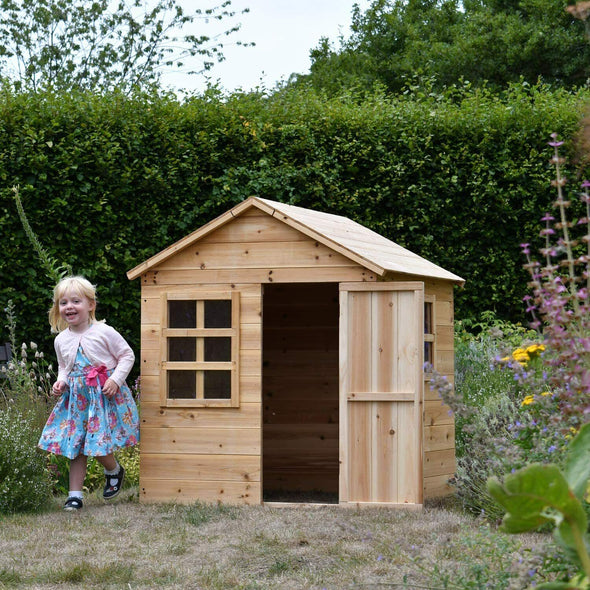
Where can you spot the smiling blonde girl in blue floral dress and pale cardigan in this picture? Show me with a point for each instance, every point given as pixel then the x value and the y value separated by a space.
pixel 96 413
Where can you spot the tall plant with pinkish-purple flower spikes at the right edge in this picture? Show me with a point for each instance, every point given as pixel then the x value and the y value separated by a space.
pixel 560 306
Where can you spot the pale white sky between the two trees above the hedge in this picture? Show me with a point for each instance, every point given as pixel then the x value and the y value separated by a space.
pixel 284 32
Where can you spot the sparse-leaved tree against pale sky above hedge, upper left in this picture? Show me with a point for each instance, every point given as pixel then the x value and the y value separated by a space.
pixel 62 45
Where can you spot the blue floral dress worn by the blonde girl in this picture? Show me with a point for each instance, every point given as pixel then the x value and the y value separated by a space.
pixel 84 421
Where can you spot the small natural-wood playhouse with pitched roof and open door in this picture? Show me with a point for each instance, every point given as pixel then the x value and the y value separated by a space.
pixel 282 359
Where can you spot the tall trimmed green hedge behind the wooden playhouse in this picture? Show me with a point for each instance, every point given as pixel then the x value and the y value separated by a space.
pixel 109 181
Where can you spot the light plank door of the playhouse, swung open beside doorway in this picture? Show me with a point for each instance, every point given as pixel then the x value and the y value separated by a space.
pixel 381 383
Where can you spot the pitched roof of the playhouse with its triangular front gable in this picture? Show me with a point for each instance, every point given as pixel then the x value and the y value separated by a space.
pixel 314 238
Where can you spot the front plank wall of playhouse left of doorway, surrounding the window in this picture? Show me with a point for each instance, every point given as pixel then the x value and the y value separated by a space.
pixel 206 453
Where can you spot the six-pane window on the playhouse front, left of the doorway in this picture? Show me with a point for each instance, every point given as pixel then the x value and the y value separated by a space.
pixel 200 349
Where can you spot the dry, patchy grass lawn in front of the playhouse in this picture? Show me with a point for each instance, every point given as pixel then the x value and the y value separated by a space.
pixel 130 545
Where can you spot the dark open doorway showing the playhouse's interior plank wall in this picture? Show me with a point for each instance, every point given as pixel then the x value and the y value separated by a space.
pixel 300 390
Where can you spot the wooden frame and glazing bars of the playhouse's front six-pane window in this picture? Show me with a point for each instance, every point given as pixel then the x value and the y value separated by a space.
pixel 200 365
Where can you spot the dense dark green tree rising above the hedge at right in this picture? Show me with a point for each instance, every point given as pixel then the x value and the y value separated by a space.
pixel 491 42
